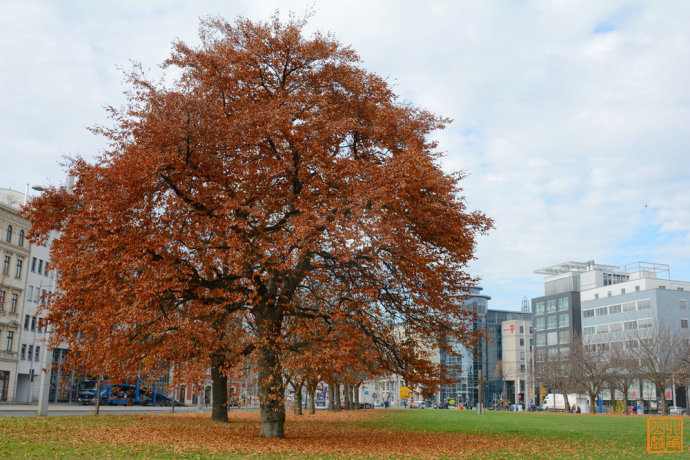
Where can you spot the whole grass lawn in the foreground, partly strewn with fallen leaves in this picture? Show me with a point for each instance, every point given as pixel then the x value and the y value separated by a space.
pixel 505 435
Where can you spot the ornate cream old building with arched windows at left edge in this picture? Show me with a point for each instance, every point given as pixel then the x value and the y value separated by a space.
pixel 14 256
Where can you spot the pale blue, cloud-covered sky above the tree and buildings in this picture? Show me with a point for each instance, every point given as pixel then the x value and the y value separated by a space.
pixel 570 118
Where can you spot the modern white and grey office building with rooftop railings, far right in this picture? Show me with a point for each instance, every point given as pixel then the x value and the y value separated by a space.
pixel 610 306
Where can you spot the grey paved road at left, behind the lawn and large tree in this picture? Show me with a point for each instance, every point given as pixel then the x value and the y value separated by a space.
pixel 27 410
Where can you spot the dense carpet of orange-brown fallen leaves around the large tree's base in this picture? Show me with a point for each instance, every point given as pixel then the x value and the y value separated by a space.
pixel 339 434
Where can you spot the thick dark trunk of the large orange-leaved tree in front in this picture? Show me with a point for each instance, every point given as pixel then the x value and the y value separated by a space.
pixel 271 388
